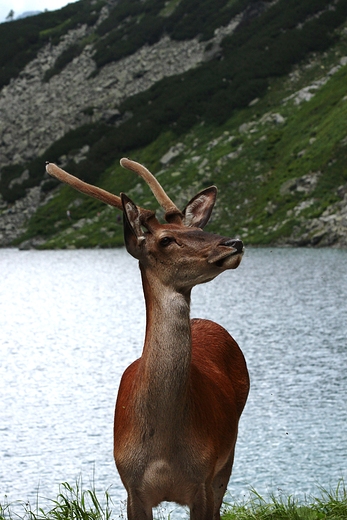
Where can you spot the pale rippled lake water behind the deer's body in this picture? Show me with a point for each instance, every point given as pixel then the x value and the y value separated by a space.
pixel 71 321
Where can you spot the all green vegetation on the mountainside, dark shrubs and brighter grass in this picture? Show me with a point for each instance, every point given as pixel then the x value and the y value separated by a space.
pixel 276 162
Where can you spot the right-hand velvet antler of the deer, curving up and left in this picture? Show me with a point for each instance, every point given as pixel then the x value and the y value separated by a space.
pixel 158 191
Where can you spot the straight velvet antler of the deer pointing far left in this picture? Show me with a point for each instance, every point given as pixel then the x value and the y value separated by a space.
pixel 84 187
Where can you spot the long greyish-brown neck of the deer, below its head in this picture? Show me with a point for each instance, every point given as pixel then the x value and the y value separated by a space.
pixel 166 357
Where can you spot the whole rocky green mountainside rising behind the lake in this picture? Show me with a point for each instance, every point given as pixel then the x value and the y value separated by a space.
pixel 248 95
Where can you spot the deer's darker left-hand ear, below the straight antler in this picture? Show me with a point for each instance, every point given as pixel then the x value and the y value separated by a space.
pixel 133 234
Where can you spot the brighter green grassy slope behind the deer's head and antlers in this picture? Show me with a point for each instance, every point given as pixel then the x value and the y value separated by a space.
pixel 254 158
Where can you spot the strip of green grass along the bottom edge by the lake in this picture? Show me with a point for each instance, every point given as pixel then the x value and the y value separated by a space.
pixel 75 503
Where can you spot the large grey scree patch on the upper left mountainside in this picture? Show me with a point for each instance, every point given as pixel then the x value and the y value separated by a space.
pixel 35 113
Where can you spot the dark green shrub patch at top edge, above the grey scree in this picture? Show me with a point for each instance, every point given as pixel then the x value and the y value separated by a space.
pixel 128 27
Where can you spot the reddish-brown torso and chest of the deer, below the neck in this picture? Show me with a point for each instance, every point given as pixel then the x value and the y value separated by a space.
pixel 189 434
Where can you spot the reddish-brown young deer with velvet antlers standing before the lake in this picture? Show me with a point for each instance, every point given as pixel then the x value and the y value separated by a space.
pixel 179 404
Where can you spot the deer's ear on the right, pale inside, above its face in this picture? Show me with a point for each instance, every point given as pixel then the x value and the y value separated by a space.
pixel 198 211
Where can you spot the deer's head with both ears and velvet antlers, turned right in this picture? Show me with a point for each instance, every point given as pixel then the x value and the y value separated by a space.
pixel 178 252
